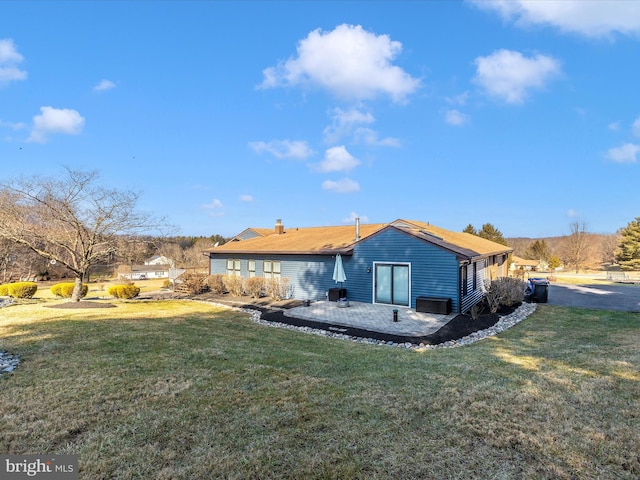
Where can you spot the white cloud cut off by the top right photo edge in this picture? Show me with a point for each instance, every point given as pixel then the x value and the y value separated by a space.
pixel 591 18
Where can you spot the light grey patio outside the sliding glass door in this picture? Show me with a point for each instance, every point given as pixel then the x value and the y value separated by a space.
pixel 372 317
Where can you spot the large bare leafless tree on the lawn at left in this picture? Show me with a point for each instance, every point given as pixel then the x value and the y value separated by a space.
pixel 72 220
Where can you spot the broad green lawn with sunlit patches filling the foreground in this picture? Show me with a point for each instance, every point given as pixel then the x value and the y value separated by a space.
pixel 185 390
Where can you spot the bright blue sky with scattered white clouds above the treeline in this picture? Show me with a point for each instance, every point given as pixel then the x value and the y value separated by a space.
pixel 225 115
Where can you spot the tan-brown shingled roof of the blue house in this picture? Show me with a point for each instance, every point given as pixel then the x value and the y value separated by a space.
pixel 341 239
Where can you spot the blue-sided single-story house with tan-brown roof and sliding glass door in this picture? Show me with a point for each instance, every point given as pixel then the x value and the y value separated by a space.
pixel 405 263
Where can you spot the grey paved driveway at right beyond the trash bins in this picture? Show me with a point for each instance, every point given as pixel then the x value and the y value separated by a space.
pixel 603 297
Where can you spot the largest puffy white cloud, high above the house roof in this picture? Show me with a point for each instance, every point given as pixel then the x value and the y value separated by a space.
pixel 348 62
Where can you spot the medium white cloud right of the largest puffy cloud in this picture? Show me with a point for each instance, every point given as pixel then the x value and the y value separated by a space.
pixel 508 75
